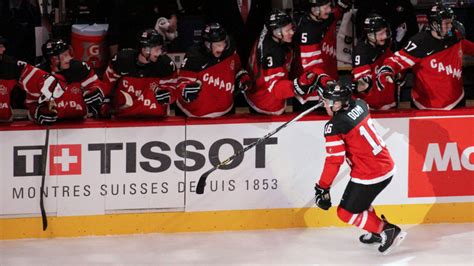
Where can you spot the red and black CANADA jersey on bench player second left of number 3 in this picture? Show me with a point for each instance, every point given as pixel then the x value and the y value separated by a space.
pixel 133 86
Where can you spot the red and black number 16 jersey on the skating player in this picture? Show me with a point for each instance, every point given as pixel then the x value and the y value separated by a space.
pixel 350 134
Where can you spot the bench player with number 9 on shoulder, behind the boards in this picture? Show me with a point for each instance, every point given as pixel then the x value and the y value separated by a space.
pixel 368 56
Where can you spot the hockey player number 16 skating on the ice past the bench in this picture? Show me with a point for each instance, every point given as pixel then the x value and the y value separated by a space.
pixel 351 134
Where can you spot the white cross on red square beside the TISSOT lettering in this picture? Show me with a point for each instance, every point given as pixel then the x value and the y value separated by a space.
pixel 65 159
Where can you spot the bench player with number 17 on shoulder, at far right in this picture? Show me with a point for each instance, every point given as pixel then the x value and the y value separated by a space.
pixel 435 56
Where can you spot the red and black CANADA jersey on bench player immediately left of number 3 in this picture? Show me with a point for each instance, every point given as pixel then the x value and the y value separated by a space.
pixel 217 77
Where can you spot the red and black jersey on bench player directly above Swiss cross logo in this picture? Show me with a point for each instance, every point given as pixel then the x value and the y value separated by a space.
pixel 75 81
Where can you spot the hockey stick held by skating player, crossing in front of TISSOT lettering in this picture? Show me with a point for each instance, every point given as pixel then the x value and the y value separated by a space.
pixel 202 180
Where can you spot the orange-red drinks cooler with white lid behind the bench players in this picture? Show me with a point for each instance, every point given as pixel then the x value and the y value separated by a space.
pixel 88 43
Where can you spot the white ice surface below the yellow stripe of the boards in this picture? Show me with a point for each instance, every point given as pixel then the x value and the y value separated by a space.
pixel 442 244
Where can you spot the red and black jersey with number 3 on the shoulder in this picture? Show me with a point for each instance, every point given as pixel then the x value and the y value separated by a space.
pixel 269 65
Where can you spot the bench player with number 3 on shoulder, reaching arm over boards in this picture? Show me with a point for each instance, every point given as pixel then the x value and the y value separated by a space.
pixel 270 64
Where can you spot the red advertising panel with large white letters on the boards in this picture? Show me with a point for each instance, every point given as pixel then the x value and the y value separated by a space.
pixel 441 157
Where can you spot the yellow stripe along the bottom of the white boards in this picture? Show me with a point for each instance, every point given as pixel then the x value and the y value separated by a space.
pixel 170 222
